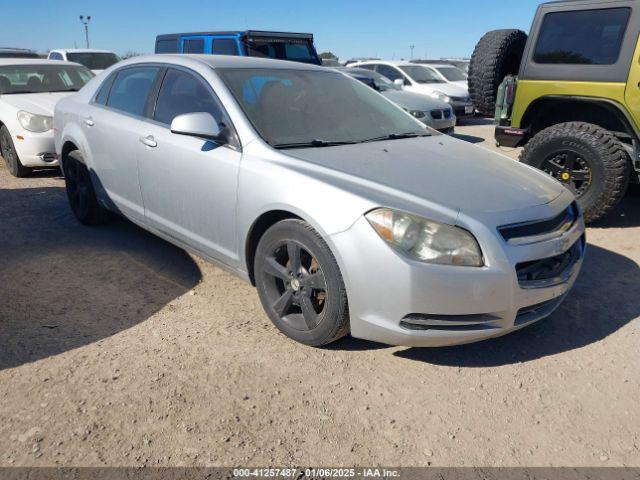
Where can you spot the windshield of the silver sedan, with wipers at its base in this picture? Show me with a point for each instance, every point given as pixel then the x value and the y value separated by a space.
pixel 313 107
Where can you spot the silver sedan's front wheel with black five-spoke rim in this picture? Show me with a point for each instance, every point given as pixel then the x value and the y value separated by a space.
pixel 313 311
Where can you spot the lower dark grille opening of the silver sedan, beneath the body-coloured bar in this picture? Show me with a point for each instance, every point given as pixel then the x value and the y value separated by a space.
pixel 549 271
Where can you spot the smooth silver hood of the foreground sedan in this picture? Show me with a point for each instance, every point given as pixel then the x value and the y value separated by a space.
pixel 440 169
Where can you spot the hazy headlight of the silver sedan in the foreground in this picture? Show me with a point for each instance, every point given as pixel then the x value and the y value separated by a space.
pixel 426 240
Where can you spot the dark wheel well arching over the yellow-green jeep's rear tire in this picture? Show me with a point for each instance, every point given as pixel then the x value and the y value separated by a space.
pixel 548 111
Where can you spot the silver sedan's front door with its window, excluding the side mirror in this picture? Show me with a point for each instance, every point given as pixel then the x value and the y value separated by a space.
pixel 189 184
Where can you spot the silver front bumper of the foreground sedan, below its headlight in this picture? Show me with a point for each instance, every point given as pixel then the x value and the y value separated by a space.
pixel 397 301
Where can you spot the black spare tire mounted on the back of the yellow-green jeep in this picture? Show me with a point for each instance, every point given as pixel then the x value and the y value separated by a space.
pixel 497 54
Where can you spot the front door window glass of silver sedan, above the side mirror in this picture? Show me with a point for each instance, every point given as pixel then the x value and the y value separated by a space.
pixel 182 93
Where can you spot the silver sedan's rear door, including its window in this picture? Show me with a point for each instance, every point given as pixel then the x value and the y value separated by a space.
pixel 112 127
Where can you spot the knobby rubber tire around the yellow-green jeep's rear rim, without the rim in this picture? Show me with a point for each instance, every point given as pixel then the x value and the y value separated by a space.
pixel 600 149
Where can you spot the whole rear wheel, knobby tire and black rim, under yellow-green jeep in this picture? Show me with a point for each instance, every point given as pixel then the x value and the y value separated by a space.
pixel 588 159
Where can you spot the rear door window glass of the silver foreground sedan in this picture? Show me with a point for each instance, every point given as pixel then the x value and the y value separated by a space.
pixel 131 88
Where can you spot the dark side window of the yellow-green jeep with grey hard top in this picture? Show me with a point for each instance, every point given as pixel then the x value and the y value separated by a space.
pixel 583 37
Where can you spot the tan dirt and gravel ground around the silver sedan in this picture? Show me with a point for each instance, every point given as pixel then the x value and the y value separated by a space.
pixel 117 348
